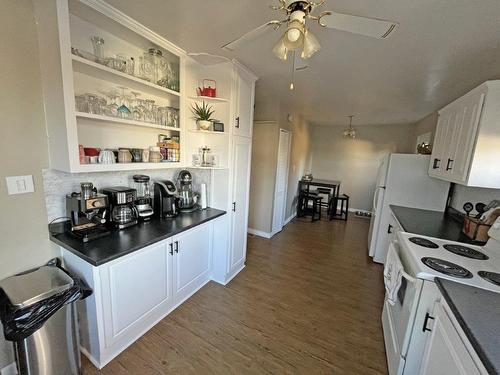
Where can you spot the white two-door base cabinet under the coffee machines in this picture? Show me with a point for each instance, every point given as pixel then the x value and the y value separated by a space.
pixel 135 291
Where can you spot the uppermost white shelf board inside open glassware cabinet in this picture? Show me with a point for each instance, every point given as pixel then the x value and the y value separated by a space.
pixel 94 69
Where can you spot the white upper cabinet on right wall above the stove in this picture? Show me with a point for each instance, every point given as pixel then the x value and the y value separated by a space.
pixel 467 143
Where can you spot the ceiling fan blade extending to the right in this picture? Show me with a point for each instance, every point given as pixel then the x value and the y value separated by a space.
pixel 371 27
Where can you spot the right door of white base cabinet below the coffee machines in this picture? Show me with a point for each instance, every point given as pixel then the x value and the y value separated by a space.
pixel 192 253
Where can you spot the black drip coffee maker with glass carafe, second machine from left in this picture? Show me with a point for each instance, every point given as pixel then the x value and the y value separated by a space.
pixel 123 213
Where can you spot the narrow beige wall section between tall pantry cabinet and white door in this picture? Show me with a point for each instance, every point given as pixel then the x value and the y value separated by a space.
pixel 265 144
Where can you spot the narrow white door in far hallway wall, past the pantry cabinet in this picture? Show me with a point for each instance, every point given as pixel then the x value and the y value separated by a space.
pixel 280 190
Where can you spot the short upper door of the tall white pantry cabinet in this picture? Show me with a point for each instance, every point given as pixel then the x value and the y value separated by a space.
pixel 244 104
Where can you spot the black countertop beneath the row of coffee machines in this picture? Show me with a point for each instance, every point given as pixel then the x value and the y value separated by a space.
pixel 120 243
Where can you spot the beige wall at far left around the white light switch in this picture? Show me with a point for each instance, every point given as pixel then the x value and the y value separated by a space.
pixel 23 223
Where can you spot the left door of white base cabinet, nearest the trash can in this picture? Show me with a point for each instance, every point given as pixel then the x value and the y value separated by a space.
pixel 134 287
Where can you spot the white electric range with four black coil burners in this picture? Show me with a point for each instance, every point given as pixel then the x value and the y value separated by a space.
pixel 424 258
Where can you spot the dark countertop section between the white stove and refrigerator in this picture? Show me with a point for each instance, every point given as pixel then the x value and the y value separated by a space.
pixel 432 224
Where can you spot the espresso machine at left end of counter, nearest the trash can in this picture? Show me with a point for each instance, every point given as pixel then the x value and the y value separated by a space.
pixel 88 211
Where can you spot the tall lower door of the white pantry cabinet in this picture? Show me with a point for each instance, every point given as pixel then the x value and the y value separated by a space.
pixel 242 153
